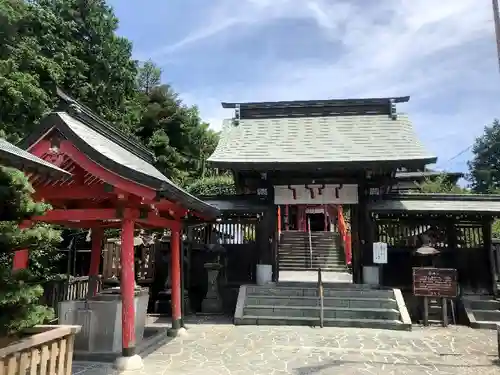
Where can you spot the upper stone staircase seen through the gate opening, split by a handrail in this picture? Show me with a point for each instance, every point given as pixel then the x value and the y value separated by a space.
pixel 294 254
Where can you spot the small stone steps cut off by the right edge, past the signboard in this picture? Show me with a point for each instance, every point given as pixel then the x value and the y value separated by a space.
pixel 482 311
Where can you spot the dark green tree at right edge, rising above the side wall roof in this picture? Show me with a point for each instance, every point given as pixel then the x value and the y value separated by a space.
pixel 484 168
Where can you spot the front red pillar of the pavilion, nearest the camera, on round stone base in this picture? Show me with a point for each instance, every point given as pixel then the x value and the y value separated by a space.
pixel 127 282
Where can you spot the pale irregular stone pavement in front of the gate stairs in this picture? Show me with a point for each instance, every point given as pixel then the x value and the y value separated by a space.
pixel 216 347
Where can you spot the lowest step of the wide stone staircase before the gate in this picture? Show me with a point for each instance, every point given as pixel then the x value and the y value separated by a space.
pixel 306 321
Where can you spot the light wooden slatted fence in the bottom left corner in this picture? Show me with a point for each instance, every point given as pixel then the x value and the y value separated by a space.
pixel 48 350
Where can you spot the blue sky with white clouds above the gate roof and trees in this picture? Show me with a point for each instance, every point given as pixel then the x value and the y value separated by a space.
pixel 441 53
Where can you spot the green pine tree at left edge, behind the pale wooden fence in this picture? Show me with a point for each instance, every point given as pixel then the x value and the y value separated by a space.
pixel 20 291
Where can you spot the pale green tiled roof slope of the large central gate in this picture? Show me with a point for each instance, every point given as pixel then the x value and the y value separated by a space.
pixel 319 140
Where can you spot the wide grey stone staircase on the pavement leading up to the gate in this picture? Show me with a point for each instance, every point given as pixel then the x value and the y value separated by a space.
pixel 345 305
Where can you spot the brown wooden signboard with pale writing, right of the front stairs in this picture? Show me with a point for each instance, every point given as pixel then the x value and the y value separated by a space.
pixel 435 282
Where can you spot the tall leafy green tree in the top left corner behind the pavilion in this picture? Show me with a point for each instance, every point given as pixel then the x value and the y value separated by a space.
pixel 70 43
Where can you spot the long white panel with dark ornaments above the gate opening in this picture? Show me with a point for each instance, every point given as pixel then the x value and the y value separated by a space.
pixel 316 194
